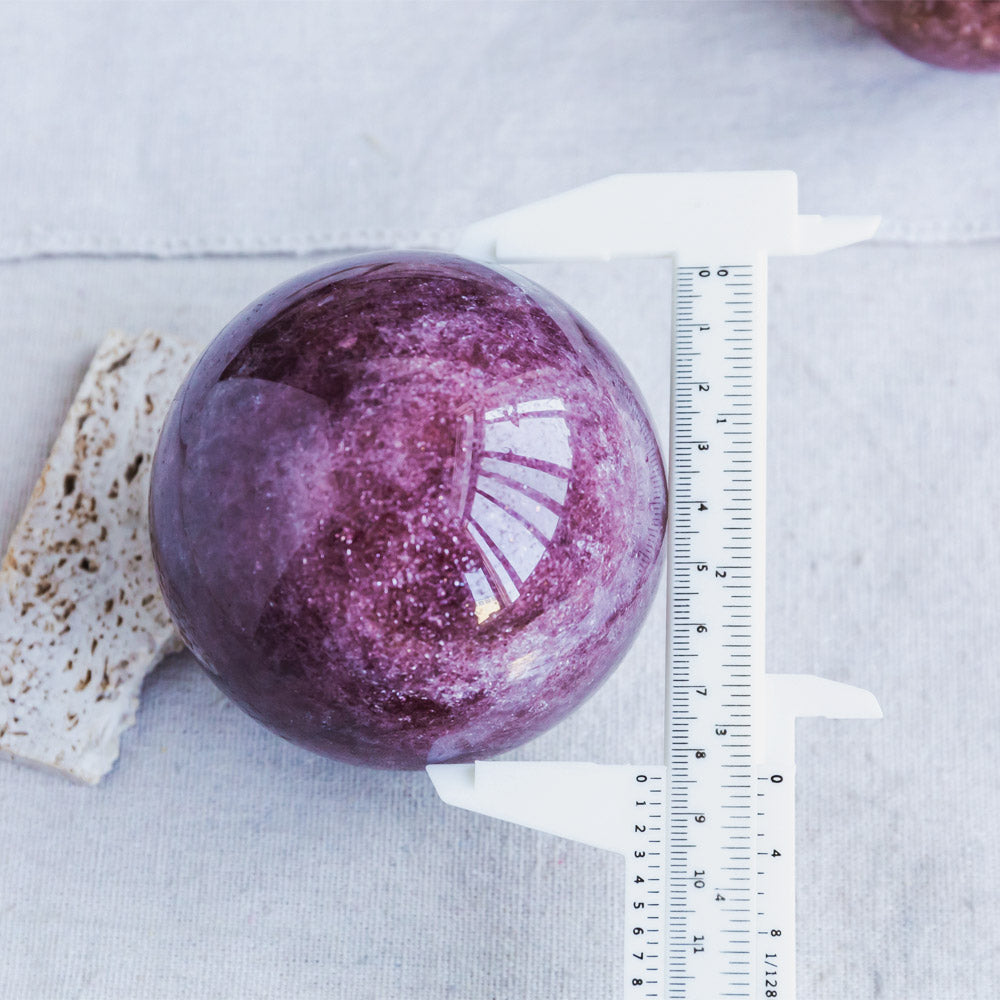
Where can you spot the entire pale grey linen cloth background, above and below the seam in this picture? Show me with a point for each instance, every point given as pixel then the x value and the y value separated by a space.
pixel 163 164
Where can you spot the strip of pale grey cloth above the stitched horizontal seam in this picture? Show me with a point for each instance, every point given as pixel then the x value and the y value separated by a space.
pixel 187 128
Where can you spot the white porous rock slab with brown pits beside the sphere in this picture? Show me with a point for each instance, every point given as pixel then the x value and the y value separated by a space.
pixel 82 621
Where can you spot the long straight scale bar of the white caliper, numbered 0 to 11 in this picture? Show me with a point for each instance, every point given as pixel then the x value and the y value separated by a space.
pixel 716 624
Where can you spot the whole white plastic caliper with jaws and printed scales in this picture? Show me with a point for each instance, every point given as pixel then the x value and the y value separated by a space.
pixel 708 836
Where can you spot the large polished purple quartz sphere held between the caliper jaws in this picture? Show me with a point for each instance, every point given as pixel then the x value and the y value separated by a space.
pixel 408 509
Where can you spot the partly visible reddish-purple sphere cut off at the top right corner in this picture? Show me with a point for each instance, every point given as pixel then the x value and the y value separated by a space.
pixel 957 34
